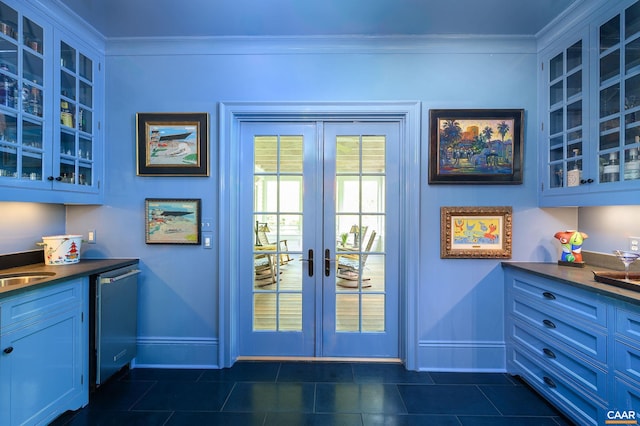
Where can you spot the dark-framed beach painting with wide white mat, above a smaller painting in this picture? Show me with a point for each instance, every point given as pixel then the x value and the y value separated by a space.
pixel 172 144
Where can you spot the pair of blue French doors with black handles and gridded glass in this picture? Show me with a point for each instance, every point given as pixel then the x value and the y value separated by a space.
pixel 319 239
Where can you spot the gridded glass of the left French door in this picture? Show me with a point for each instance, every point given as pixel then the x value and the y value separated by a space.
pixel 277 196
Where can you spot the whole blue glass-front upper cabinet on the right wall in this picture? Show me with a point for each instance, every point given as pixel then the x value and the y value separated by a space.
pixel 591 111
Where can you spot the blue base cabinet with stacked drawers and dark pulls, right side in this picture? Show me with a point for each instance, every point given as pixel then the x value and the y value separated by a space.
pixel 578 347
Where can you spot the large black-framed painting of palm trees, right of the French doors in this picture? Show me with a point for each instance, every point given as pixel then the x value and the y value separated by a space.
pixel 481 146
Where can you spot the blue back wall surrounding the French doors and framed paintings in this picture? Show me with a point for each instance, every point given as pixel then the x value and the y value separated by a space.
pixel 460 320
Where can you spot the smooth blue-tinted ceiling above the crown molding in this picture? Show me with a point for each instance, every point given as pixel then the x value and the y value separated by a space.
pixel 201 18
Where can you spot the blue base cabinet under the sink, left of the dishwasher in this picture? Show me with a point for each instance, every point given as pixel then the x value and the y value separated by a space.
pixel 44 353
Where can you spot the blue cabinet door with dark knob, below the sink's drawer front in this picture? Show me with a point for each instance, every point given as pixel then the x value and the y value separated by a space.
pixel 43 362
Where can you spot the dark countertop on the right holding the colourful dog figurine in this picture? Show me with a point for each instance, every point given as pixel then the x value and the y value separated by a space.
pixel 579 277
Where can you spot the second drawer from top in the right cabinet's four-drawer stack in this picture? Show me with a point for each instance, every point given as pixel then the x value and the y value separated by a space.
pixel 589 342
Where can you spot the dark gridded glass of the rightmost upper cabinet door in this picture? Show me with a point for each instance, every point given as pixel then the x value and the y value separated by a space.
pixel 619 97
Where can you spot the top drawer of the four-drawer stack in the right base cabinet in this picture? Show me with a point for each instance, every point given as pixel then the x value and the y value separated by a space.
pixel 570 300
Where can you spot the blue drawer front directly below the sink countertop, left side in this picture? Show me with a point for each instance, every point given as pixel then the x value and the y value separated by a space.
pixel 32 304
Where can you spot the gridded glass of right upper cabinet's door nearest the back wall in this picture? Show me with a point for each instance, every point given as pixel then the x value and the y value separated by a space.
pixel 565 111
